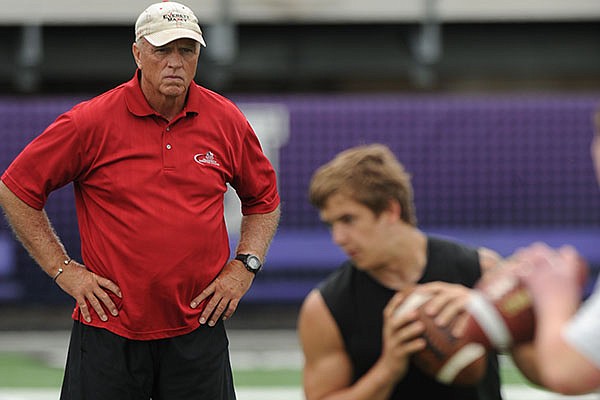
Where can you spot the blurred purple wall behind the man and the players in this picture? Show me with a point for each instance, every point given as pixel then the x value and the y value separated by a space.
pixel 490 170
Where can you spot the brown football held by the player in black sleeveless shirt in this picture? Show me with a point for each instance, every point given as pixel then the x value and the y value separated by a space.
pixel 450 360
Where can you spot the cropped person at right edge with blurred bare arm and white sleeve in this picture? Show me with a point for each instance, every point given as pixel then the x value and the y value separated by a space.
pixel 567 343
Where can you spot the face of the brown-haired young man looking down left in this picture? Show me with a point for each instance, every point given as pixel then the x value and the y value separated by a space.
pixel 357 230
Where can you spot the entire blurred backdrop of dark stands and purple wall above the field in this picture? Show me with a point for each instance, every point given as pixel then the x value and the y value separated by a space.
pixel 487 103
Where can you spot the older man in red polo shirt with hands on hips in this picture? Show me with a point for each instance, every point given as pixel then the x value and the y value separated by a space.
pixel 150 162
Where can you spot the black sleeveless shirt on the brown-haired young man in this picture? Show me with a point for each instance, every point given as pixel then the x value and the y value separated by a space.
pixel 356 302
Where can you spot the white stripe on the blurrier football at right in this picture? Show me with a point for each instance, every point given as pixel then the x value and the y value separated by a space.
pixel 490 321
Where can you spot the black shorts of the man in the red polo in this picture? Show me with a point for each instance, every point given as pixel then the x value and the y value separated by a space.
pixel 105 366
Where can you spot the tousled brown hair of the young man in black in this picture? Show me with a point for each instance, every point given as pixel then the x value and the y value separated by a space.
pixel 370 175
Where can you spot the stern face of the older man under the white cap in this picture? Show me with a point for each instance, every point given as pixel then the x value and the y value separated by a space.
pixel 168 70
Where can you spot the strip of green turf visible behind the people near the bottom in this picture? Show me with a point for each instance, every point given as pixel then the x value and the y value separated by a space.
pixel 22 370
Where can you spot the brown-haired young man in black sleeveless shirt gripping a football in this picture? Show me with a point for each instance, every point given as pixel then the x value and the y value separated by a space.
pixel 354 345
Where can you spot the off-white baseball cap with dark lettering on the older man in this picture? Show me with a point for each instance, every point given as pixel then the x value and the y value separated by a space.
pixel 164 22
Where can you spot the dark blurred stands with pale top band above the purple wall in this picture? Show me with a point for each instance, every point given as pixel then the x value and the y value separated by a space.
pixel 290 46
